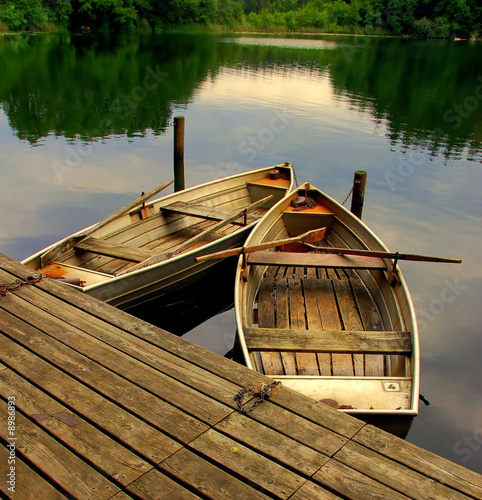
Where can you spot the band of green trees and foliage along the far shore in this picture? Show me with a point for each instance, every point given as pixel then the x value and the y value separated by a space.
pixel 422 18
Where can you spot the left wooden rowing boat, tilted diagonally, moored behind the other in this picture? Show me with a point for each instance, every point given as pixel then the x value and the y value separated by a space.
pixel 150 250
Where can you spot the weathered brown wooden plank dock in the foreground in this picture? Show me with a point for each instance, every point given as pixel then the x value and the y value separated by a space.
pixel 108 406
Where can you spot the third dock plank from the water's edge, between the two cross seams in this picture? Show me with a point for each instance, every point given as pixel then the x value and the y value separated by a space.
pixel 282 448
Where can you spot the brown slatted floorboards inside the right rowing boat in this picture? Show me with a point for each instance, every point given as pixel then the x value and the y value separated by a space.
pixel 314 298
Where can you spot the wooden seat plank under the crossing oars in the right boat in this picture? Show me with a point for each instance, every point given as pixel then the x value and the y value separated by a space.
pixel 315 259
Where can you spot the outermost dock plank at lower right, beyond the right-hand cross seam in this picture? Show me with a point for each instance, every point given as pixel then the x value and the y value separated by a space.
pixel 429 464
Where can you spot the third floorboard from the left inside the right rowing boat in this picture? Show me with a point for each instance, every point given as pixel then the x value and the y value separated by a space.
pixel 307 363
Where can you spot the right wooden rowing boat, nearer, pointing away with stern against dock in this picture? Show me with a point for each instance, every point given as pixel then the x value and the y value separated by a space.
pixel 338 328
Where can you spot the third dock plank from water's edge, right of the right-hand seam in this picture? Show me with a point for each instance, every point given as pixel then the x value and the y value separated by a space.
pixel 352 484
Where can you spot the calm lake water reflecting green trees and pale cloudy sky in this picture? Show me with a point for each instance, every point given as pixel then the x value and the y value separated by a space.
pixel 86 125
